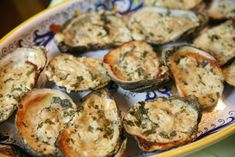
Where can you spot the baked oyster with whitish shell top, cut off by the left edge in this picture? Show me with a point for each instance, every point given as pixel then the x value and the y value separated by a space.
pixel 18 74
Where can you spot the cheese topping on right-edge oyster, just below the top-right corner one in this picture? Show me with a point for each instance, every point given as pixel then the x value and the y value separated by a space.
pixel 219 41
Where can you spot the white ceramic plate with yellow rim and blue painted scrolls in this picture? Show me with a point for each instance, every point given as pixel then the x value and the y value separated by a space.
pixel 40 30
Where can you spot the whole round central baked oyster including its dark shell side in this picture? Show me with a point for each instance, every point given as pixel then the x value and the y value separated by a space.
pixel 136 67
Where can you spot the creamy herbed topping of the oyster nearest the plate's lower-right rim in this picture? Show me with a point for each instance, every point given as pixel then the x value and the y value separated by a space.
pixel 161 120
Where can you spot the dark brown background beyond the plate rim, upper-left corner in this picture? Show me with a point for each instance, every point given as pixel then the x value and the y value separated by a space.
pixel 14 12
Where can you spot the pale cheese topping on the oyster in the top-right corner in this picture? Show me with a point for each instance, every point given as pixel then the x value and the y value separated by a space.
pixel 221 9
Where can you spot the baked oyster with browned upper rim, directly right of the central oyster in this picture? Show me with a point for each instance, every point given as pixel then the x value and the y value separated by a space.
pixel 196 73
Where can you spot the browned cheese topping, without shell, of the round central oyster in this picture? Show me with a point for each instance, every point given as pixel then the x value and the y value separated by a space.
pixel 134 61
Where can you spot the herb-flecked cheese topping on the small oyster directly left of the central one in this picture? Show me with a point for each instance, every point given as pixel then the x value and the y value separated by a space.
pixel 77 74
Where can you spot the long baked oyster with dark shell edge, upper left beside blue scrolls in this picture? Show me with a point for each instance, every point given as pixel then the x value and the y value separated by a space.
pixel 92 31
